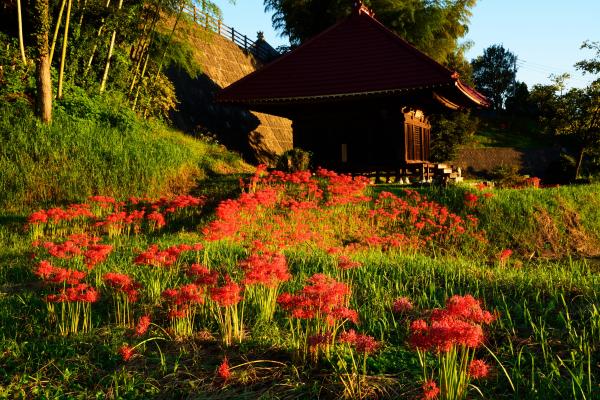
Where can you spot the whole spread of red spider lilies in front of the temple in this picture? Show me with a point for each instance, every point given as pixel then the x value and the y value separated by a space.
pixel 79 256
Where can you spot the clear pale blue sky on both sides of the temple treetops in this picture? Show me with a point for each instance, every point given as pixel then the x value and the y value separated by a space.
pixel 544 34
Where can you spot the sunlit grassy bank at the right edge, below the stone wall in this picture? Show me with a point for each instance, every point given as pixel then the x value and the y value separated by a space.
pixel 553 222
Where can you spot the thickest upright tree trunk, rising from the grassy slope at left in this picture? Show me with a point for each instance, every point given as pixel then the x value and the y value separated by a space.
pixel 42 63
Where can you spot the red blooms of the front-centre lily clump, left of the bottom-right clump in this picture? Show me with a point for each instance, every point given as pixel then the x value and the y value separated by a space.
pixel 322 297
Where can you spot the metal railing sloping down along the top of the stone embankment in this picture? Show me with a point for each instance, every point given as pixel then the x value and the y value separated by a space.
pixel 210 22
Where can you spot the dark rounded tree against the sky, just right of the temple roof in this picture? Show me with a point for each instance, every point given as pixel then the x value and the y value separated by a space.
pixel 494 74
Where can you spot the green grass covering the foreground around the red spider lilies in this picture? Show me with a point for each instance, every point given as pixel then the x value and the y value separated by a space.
pixel 545 340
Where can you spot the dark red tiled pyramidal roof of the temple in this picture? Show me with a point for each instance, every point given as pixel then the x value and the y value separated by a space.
pixel 357 56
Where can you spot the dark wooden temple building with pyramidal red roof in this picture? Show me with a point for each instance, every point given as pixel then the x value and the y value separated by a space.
pixel 358 96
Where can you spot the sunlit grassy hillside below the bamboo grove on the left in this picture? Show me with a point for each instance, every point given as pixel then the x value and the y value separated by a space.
pixel 97 146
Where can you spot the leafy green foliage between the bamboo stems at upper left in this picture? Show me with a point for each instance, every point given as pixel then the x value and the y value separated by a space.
pixel 142 46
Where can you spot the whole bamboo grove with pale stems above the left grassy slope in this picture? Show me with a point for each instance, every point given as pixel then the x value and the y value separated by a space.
pixel 121 46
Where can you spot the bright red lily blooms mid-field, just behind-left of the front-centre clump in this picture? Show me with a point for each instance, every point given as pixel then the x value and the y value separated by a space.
pixel 268 269
